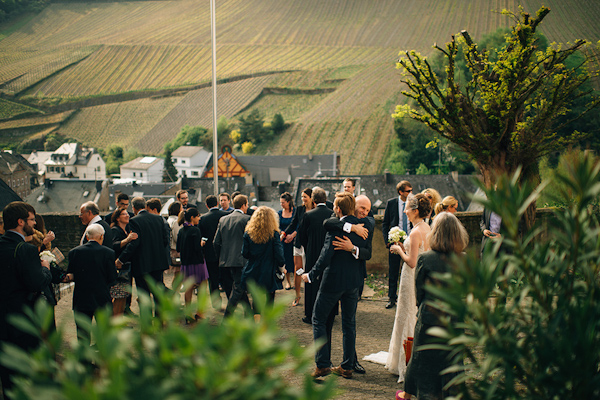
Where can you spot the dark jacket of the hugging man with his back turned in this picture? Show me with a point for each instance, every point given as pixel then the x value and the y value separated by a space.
pixel 339 270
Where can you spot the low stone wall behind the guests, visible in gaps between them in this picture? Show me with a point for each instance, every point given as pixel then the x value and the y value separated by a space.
pixel 68 230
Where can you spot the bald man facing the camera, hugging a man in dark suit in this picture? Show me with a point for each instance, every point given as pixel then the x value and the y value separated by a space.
pixel 364 229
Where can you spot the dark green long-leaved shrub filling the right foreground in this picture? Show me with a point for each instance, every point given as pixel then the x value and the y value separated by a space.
pixel 529 317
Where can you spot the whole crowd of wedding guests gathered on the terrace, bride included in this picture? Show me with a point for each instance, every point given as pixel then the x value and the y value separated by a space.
pixel 320 244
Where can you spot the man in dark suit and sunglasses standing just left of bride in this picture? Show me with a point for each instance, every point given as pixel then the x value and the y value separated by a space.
pixel 395 216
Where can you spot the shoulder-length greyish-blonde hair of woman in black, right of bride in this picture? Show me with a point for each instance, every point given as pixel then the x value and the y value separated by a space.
pixel 448 234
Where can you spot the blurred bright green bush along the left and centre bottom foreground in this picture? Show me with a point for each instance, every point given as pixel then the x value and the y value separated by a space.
pixel 147 358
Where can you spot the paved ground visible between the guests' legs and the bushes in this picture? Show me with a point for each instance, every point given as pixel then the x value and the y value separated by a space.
pixel 374 328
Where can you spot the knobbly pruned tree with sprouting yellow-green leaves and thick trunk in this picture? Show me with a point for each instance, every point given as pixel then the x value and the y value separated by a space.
pixel 506 115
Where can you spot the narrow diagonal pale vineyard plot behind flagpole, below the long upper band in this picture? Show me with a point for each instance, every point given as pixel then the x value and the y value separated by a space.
pixel 195 109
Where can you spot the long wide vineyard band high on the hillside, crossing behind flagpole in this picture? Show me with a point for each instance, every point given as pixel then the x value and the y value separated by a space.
pixel 118 69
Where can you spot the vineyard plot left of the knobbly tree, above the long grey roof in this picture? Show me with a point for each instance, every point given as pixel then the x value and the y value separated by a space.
pixel 355 121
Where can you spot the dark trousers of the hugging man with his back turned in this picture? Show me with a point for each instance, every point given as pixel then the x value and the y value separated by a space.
pixel 324 304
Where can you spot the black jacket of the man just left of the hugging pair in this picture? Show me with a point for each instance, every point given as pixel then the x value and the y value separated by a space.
pixel 311 233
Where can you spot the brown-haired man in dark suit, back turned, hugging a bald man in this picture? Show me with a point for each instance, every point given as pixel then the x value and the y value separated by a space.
pixel 341 276
